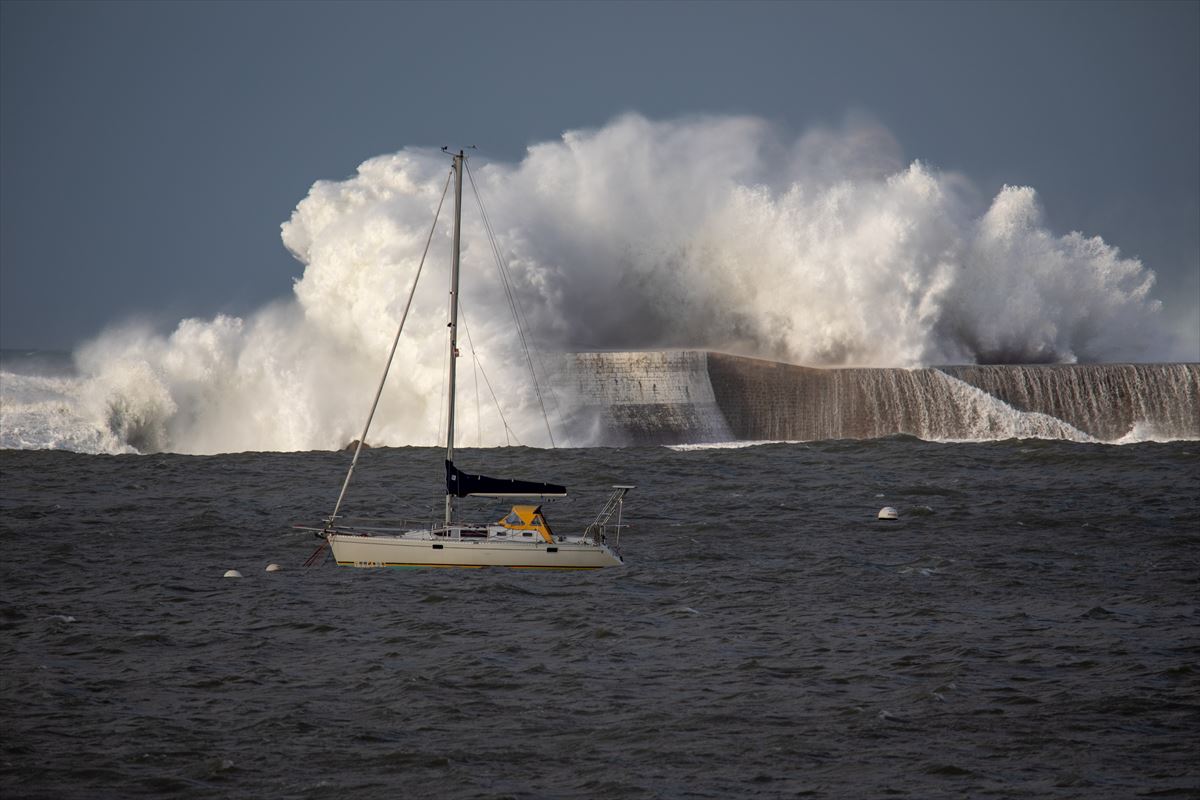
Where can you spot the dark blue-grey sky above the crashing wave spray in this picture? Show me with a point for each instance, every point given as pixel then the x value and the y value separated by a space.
pixel 151 151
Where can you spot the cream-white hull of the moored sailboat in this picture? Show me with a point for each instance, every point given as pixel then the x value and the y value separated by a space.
pixel 405 552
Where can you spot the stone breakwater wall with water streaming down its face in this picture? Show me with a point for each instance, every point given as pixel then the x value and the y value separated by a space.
pixel 694 396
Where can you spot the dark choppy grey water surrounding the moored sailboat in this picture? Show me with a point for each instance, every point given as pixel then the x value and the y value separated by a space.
pixel 1028 629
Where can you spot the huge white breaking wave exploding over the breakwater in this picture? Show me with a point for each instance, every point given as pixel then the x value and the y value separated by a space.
pixel 711 233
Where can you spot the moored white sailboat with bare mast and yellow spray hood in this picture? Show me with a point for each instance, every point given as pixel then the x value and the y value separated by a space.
pixel 521 539
